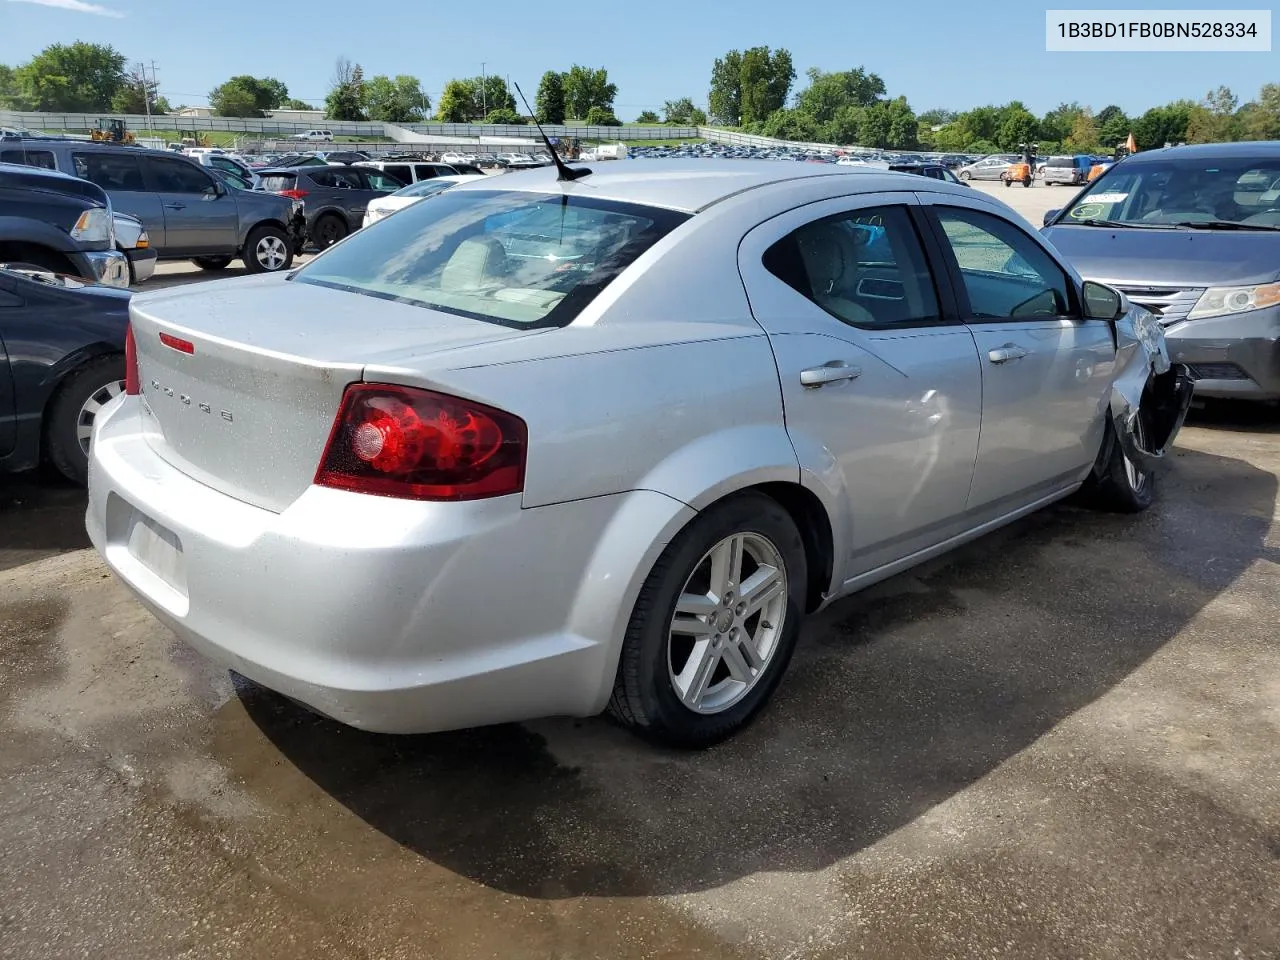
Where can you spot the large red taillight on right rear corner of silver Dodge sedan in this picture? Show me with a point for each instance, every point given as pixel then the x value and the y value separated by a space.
pixel 426 446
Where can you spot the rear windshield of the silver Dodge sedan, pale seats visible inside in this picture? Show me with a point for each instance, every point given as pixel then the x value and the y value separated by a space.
pixel 510 258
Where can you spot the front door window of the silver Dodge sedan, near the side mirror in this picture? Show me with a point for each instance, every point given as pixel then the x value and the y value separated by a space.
pixel 1005 273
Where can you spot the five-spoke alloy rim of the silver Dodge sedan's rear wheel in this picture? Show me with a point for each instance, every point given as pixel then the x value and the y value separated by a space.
pixel 728 623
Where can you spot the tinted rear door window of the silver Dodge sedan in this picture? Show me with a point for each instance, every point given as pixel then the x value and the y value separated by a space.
pixel 866 268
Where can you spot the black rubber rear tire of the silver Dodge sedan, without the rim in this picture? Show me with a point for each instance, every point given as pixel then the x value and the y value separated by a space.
pixel 644 698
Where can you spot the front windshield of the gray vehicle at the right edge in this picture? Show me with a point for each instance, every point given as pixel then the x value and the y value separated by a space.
pixel 1185 193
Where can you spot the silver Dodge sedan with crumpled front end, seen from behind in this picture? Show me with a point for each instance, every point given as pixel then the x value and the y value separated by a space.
pixel 588 442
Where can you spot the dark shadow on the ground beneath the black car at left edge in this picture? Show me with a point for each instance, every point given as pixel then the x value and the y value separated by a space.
pixel 42 515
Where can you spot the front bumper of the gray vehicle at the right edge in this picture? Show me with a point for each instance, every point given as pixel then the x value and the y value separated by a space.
pixel 1236 358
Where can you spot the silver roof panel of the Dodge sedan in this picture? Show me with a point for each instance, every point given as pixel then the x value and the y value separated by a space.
pixel 696 185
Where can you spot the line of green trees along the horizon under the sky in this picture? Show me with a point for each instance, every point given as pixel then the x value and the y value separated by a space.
pixel 752 90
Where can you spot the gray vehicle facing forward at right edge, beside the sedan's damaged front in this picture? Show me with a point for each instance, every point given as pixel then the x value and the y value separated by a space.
pixel 1187 234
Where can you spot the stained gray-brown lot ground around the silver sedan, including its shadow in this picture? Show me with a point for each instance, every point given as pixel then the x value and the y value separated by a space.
pixel 1060 742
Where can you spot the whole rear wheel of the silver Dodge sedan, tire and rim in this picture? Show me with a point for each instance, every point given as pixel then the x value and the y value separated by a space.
pixel 715 625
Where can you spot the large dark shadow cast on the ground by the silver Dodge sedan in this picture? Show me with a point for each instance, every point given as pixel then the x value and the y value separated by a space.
pixel 898 700
